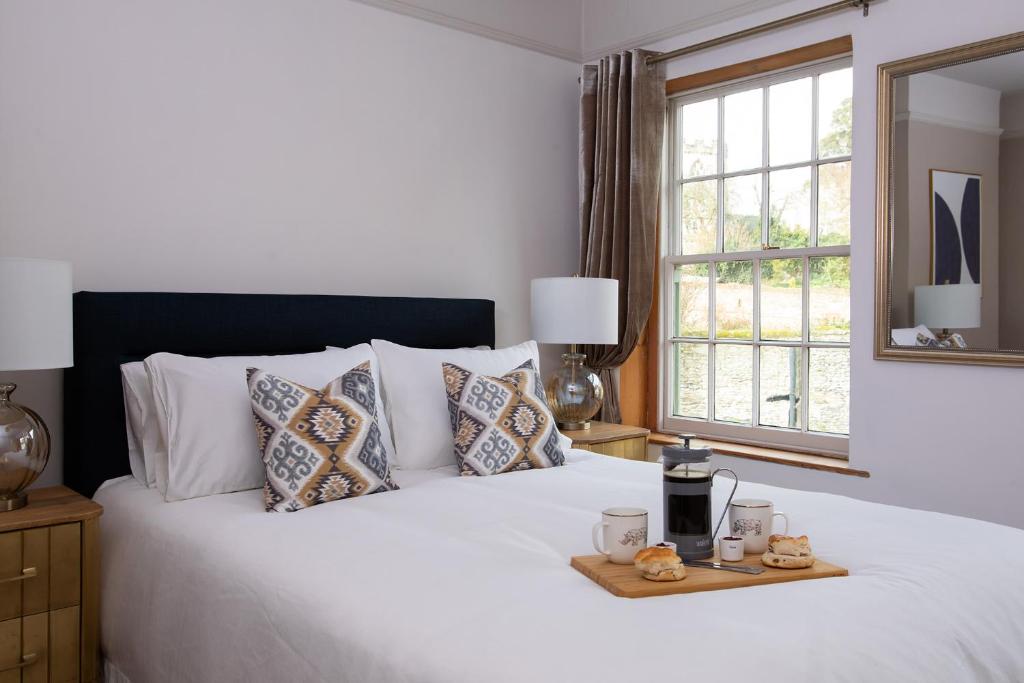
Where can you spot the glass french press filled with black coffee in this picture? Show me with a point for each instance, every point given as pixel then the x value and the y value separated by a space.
pixel 688 478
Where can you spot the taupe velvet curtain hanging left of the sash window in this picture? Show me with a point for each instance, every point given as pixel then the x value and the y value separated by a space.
pixel 622 130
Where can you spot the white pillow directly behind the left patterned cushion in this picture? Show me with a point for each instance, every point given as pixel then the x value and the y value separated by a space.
pixel 206 420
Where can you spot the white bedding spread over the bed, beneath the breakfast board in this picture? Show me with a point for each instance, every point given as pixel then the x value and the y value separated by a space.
pixel 455 579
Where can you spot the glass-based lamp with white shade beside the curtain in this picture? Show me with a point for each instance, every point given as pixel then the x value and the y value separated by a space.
pixel 575 311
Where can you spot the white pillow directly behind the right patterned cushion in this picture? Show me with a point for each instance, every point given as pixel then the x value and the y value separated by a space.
pixel 417 403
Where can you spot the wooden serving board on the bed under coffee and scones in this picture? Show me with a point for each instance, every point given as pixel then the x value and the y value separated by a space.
pixel 626 582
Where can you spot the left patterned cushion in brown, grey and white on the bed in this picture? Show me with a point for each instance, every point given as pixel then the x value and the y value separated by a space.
pixel 319 446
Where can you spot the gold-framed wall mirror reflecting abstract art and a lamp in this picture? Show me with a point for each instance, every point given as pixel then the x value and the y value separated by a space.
pixel 950 230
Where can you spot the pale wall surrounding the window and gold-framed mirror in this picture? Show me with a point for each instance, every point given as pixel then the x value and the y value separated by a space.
pixel 938 438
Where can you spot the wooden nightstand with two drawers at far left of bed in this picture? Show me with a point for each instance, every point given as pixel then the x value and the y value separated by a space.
pixel 50 589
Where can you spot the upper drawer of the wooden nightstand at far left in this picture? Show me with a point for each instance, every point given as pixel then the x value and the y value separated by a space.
pixel 40 571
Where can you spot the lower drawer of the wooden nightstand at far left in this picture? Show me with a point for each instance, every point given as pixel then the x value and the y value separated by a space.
pixel 41 649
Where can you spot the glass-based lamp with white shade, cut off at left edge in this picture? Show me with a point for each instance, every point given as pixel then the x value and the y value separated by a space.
pixel 35 334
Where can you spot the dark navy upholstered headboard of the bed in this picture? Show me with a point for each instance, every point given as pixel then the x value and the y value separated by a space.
pixel 120 327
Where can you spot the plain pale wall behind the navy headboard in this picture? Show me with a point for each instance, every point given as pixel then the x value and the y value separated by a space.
pixel 287 147
